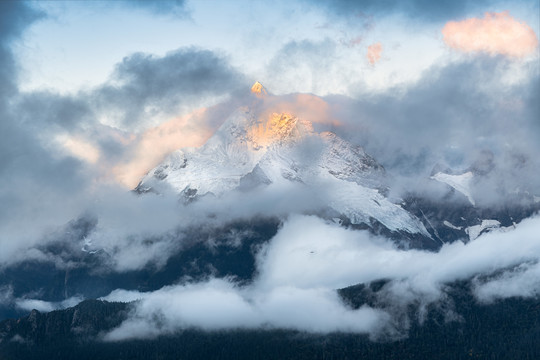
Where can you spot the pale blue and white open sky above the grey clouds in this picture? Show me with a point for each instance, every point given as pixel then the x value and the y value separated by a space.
pixel 59 52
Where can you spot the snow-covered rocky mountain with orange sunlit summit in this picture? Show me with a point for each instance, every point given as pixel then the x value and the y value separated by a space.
pixel 256 148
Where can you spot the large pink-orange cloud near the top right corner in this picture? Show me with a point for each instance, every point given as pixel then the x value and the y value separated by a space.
pixel 496 33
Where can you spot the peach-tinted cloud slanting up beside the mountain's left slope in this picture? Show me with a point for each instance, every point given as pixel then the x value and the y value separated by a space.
pixel 152 146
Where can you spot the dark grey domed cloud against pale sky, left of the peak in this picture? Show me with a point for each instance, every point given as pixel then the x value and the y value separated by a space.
pixel 143 85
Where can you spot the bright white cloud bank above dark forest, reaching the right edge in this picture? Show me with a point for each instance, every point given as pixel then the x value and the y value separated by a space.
pixel 300 268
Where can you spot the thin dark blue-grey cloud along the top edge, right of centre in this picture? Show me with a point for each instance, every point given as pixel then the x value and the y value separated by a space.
pixel 426 10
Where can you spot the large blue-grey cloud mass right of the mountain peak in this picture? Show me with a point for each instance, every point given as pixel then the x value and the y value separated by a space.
pixel 454 113
